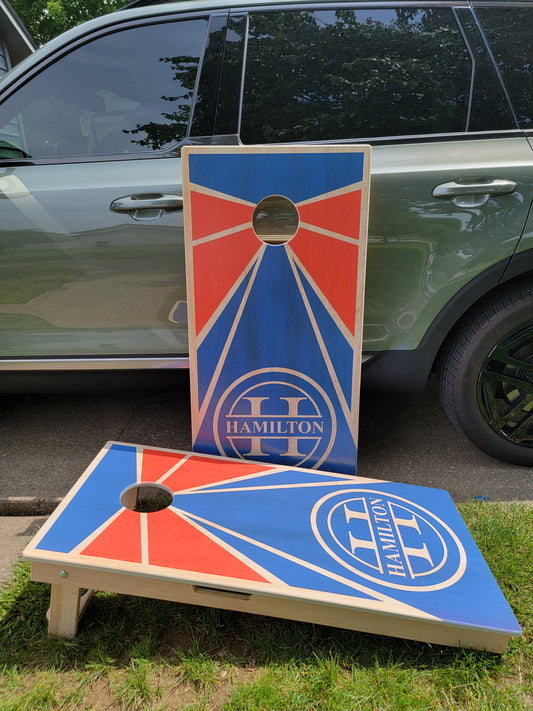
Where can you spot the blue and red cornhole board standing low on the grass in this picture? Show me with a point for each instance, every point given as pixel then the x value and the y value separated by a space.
pixel 289 542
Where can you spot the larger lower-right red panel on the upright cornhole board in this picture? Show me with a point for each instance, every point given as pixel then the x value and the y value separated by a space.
pixel 332 264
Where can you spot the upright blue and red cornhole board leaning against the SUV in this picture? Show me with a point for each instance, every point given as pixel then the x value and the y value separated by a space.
pixel 275 243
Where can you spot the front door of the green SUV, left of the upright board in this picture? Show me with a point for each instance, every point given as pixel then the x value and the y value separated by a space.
pixel 91 229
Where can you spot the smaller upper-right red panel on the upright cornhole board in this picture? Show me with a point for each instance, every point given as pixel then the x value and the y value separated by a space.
pixel 340 214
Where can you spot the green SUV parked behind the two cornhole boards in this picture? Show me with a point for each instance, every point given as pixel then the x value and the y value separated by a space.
pixel 91 231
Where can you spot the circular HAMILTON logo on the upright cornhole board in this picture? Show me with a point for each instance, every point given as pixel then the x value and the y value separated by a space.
pixel 275 415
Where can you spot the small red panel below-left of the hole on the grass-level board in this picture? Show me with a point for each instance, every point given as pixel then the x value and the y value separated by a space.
pixel 120 540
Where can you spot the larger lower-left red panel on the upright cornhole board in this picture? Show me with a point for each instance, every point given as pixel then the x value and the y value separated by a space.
pixel 217 266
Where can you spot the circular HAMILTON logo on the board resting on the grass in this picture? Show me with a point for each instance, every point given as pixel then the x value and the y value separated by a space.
pixel 388 540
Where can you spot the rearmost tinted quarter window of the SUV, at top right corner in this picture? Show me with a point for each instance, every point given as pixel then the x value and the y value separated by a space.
pixel 509 32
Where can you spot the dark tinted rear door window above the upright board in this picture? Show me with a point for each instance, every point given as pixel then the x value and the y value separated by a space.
pixel 338 74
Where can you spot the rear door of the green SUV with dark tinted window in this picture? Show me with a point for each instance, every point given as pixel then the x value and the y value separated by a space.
pixel 451 172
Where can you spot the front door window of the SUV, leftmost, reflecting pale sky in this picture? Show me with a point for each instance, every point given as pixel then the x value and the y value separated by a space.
pixel 126 92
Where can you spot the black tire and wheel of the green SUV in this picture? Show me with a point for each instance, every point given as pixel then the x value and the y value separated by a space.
pixel 485 376
